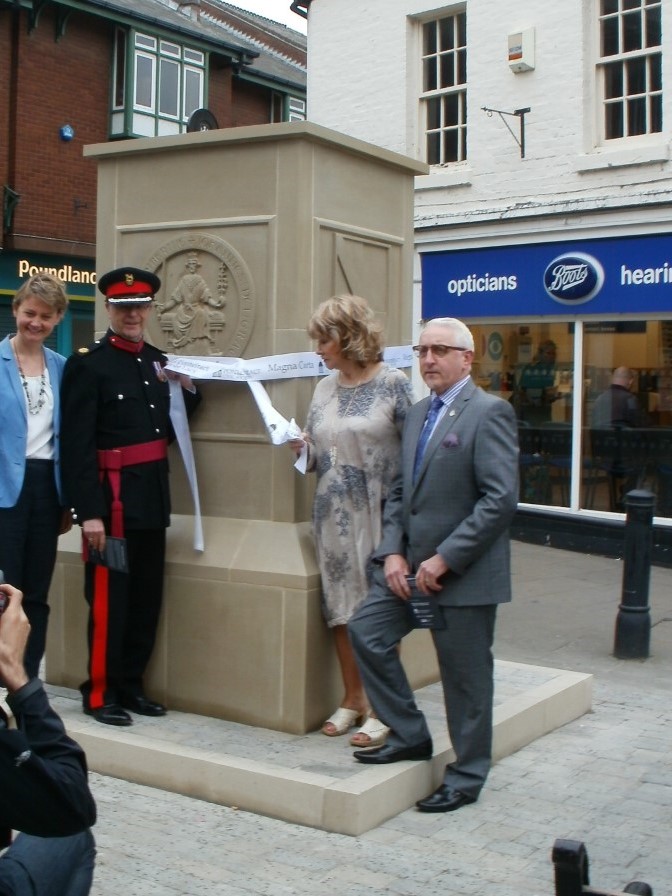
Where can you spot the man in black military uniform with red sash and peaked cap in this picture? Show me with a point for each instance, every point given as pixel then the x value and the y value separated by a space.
pixel 114 438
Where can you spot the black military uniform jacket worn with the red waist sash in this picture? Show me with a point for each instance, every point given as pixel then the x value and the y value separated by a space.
pixel 111 398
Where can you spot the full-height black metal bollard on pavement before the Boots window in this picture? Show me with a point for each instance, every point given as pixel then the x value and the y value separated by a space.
pixel 633 622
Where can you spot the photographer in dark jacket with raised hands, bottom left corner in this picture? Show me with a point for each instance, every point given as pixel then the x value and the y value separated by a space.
pixel 43 780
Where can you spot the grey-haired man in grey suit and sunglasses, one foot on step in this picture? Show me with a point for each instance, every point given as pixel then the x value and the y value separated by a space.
pixel 446 521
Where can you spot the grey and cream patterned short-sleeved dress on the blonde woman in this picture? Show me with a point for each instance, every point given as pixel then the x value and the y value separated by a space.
pixel 354 435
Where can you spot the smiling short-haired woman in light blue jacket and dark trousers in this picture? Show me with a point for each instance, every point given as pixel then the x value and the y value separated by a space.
pixel 32 514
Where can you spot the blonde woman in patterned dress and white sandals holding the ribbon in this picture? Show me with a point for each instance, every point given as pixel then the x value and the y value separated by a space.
pixel 353 437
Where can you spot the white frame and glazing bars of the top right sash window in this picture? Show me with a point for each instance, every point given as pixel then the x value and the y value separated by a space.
pixel 621 63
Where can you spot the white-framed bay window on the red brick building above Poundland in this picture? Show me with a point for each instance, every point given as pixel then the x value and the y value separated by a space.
pixel 157 92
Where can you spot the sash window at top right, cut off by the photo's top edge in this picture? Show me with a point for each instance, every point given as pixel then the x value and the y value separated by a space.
pixel 630 67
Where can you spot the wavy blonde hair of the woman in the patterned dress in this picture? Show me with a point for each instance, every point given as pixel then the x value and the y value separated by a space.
pixel 349 321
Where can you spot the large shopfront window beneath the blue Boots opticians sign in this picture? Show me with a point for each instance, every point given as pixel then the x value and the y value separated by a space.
pixel 620 435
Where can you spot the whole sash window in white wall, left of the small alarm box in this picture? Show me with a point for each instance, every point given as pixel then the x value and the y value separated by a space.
pixel 444 89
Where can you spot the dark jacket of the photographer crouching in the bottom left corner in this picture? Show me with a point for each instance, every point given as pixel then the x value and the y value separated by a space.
pixel 43 774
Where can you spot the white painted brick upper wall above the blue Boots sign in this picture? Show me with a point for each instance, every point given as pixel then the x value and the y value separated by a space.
pixel 364 80
